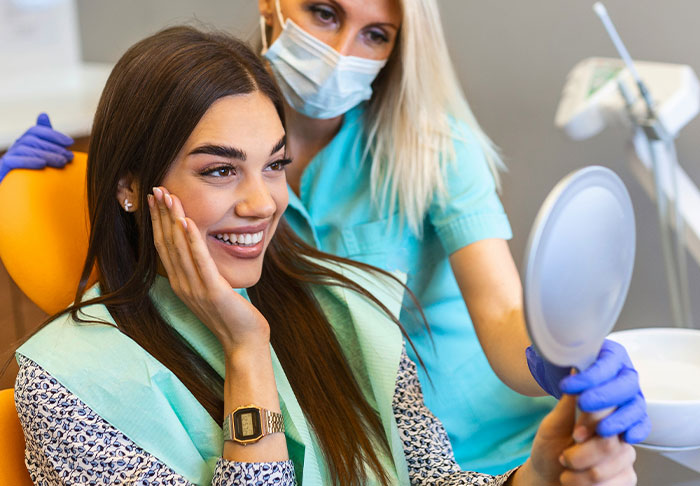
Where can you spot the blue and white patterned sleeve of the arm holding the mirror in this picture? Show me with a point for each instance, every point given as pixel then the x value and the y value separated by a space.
pixel 427 447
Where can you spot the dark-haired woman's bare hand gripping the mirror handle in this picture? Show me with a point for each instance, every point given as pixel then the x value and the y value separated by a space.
pixel 557 460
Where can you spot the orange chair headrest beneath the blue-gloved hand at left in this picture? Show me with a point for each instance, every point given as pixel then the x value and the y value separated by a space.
pixel 44 231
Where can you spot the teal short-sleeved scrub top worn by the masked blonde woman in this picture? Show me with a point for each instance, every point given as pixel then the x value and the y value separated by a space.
pixel 491 427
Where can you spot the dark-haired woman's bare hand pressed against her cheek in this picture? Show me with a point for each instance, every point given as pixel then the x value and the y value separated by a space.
pixel 195 279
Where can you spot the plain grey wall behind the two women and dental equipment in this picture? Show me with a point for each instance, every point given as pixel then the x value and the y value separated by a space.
pixel 512 57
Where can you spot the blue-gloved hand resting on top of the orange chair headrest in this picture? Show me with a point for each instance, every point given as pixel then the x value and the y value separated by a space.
pixel 40 146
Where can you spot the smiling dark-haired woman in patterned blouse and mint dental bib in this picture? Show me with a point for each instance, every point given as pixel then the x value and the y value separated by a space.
pixel 164 373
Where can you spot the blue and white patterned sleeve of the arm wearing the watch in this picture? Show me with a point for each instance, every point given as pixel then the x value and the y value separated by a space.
pixel 69 444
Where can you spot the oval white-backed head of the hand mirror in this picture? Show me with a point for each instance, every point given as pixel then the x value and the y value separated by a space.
pixel 578 266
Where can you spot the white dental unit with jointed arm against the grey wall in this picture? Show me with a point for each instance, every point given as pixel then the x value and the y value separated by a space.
pixel 657 100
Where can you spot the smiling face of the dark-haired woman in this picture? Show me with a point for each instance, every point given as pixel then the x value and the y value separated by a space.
pixel 229 176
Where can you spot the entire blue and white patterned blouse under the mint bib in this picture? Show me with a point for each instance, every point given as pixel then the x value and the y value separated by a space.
pixel 67 443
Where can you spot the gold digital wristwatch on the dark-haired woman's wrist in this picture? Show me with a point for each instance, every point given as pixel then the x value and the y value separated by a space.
pixel 249 424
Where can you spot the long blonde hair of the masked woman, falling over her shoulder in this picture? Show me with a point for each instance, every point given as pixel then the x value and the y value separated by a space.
pixel 412 117
